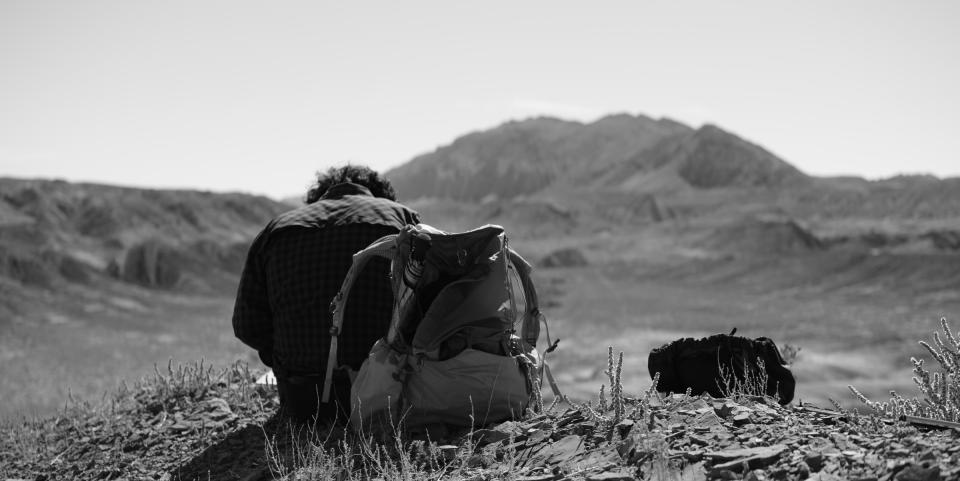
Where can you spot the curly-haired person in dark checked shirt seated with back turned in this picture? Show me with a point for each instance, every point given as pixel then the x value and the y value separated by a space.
pixel 294 269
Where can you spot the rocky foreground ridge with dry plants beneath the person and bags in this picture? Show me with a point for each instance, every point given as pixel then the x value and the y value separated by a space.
pixel 194 423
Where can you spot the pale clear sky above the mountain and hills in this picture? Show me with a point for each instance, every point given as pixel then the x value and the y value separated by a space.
pixel 256 96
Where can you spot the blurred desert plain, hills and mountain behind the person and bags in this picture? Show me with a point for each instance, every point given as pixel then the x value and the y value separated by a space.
pixel 641 231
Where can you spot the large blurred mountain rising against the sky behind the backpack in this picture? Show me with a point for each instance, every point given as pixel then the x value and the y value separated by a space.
pixel 619 151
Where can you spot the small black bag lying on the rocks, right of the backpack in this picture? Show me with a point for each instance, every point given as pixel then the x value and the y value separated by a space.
pixel 721 365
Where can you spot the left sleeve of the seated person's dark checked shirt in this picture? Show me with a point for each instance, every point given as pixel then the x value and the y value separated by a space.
pixel 252 319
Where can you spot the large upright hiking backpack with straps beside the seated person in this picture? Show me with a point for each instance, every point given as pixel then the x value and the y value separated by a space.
pixel 461 346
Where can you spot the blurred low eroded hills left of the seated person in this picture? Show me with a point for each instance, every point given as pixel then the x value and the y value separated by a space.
pixel 55 232
